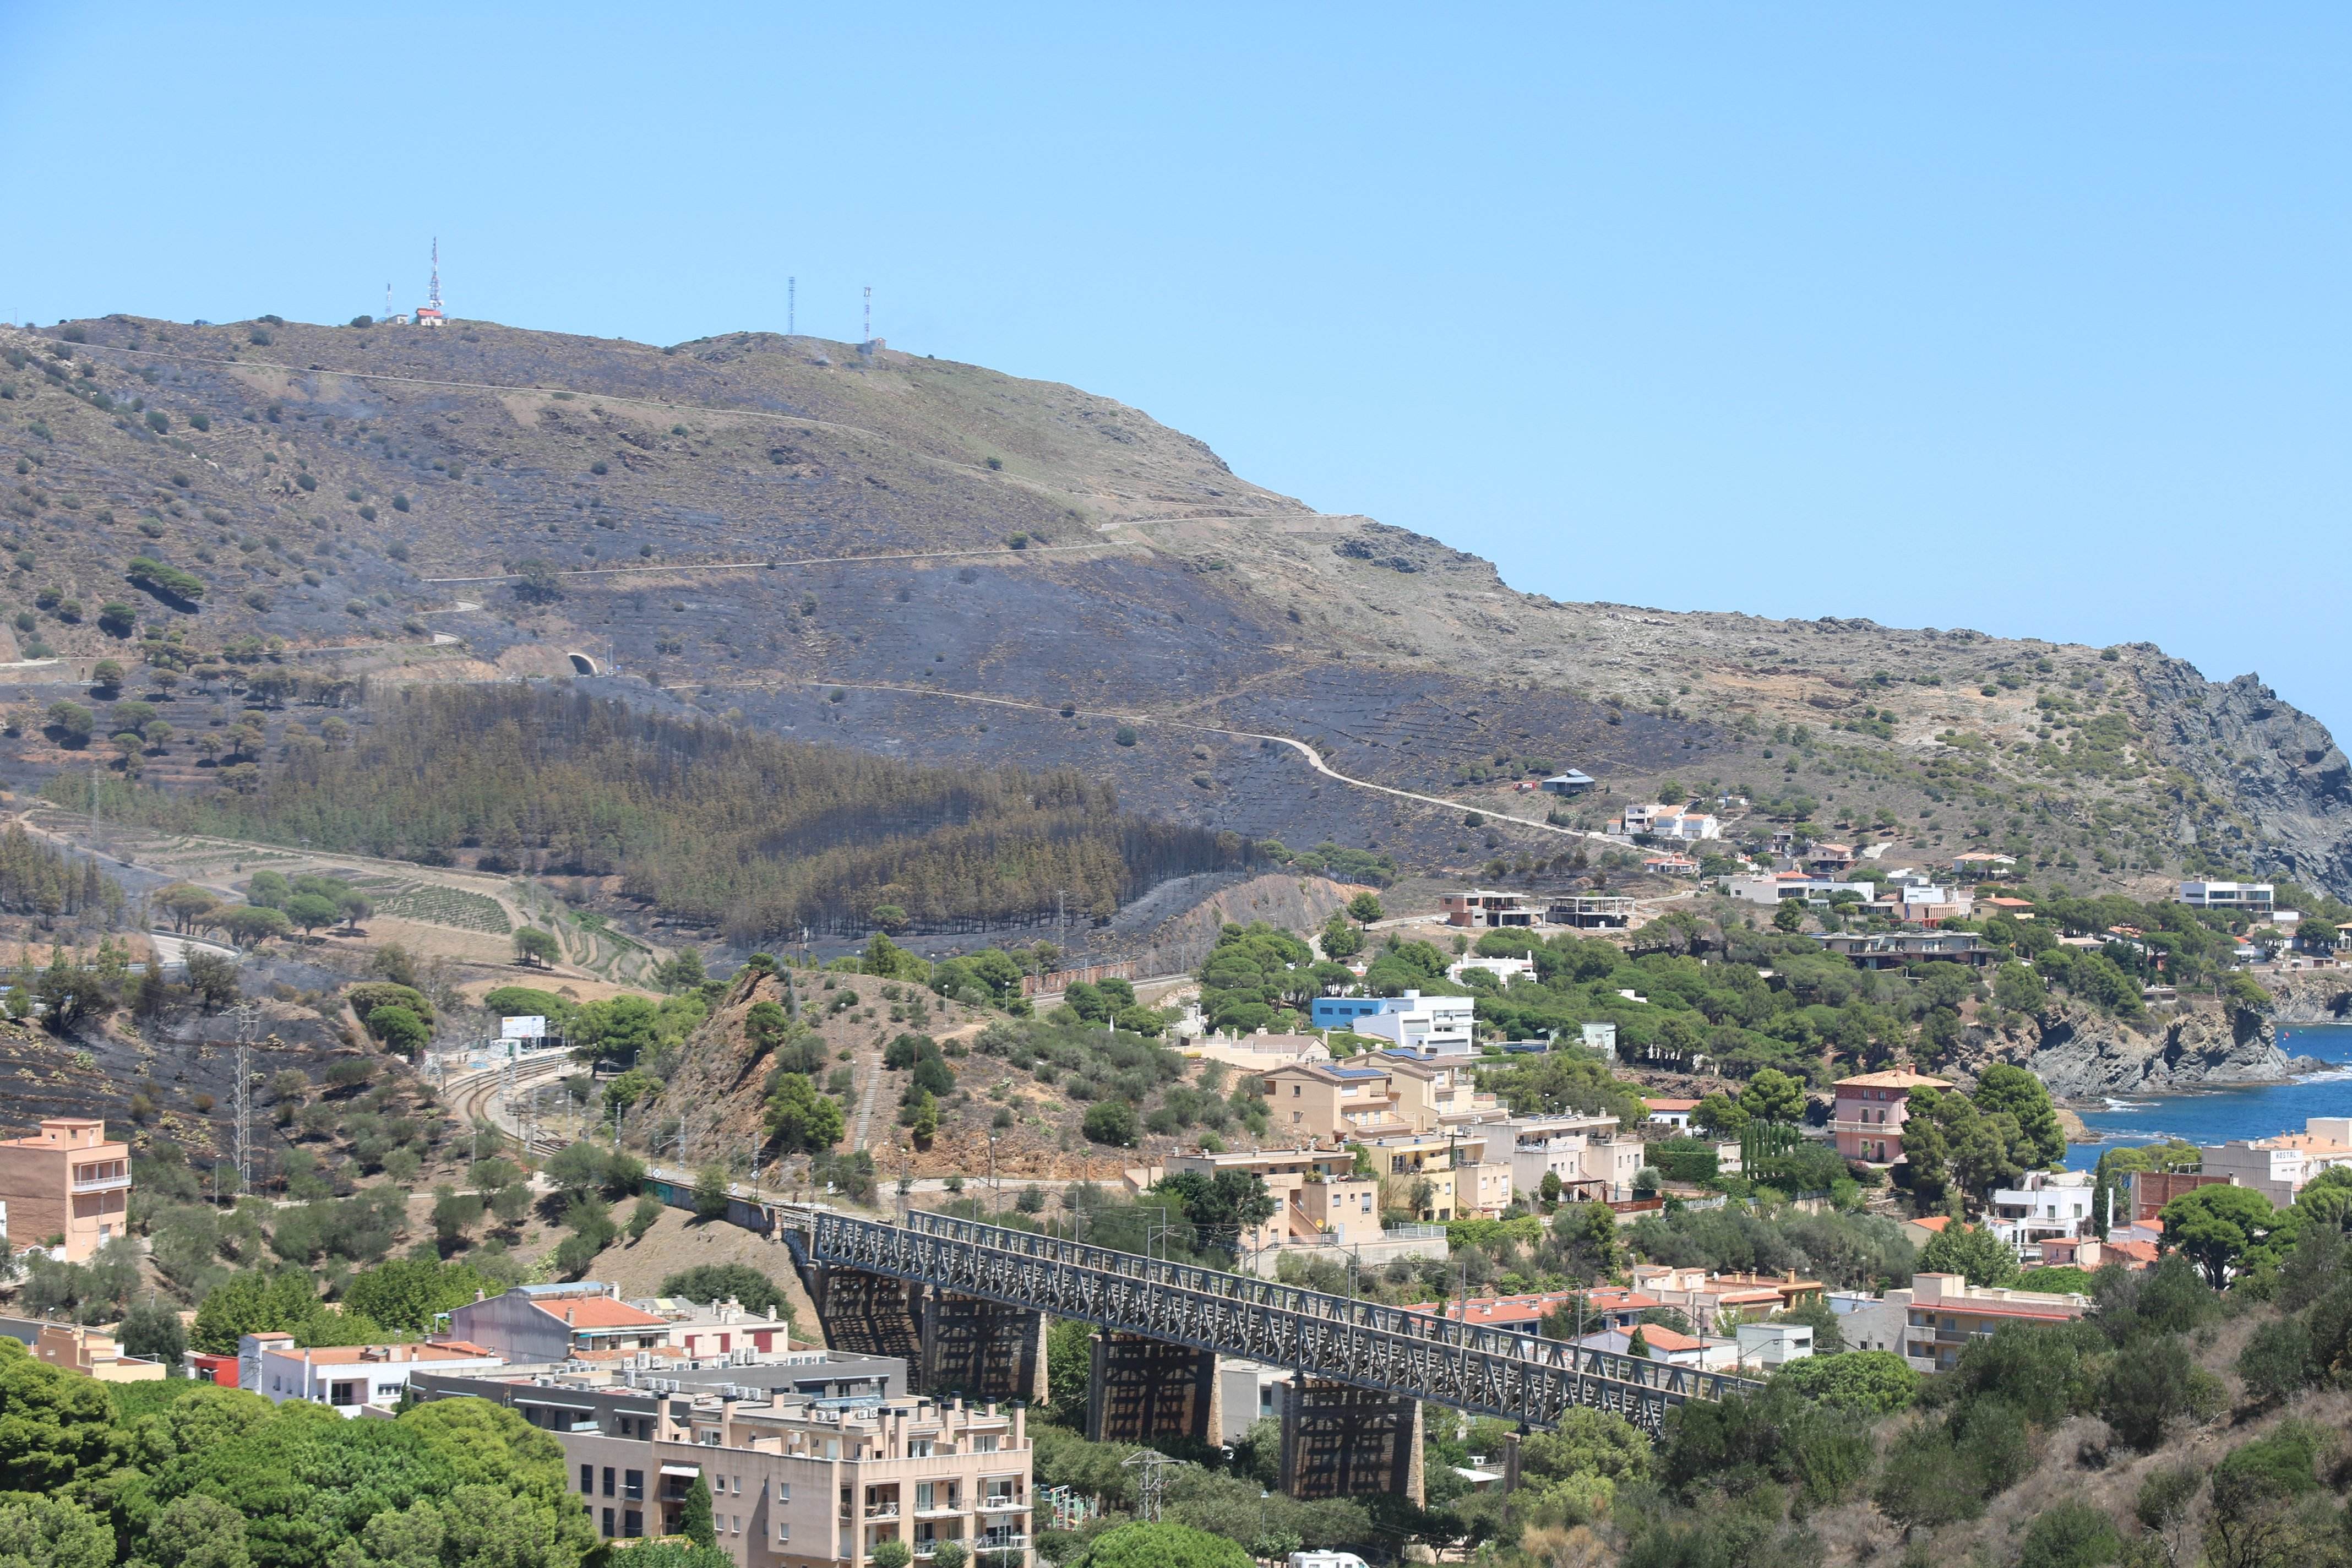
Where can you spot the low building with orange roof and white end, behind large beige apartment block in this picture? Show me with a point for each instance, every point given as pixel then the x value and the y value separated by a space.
pixel 587 1320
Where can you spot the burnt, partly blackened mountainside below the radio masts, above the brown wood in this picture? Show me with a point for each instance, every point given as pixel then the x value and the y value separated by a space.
pixel 714 525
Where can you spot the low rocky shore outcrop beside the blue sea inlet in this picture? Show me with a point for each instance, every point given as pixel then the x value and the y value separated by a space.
pixel 2085 1054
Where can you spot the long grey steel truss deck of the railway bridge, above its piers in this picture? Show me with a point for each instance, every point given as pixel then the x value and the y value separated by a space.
pixel 1478 1369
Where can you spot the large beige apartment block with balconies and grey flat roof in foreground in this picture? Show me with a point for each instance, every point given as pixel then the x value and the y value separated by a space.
pixel 796 1482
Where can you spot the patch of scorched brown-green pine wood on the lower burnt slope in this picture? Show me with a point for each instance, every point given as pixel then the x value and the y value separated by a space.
pixel 704 824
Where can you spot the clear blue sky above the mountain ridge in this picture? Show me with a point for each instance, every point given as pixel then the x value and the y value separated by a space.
pixel 2019 319
